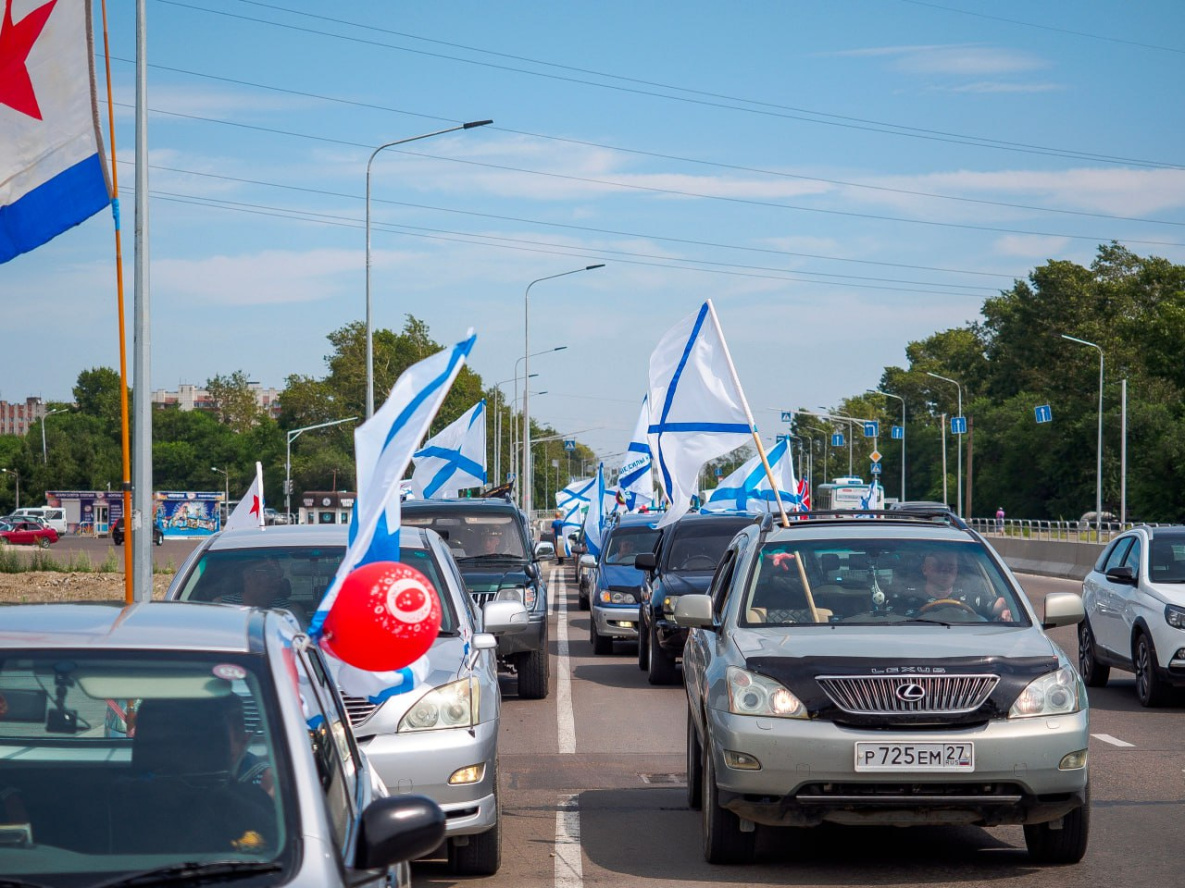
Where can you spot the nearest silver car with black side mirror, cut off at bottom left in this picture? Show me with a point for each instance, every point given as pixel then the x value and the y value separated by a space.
pixel 242 764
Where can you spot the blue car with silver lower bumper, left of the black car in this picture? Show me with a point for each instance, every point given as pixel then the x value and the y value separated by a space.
pixel 616 584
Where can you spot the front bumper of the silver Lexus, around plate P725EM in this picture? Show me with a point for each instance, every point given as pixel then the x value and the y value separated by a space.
pixel 809 774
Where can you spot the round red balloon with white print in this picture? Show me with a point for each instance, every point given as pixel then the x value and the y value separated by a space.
pixel 386 617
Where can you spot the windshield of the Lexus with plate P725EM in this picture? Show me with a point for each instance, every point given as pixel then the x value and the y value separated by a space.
pixel 877 583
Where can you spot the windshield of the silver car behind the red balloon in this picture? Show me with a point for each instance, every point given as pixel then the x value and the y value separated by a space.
pixel 293 578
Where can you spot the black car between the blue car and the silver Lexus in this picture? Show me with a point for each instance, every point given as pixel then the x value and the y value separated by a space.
pixel 688 553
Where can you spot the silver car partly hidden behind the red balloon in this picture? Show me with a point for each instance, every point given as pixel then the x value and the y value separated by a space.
pixel 440 738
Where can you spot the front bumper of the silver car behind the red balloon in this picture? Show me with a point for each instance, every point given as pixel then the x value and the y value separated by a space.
pixel 422 764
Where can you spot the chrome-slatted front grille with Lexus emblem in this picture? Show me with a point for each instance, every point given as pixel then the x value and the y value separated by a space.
pixel 909 694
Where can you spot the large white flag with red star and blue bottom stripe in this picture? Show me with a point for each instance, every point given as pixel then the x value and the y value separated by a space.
pixel 53 169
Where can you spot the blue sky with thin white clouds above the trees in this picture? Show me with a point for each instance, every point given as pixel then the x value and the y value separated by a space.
pixel 841 178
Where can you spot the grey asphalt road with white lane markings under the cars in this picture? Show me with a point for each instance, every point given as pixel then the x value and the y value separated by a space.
pixel 593 793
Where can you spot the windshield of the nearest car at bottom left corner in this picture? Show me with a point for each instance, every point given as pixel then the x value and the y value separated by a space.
pixel 116 763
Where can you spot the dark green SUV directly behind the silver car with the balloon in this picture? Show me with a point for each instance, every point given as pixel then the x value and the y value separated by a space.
pixel 492 546
